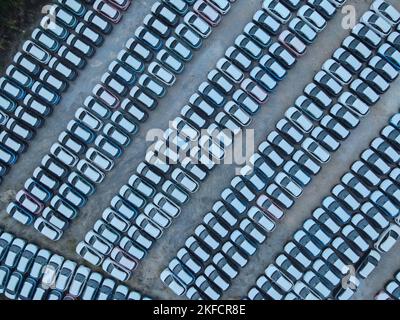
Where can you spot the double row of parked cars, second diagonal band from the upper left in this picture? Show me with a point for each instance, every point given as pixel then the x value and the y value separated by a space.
pixel 103 126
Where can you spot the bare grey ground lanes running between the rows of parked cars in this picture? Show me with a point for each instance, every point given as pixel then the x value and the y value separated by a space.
pixel 146 277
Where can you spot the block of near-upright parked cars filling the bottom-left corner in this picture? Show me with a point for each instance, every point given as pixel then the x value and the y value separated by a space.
pixel 28 272
